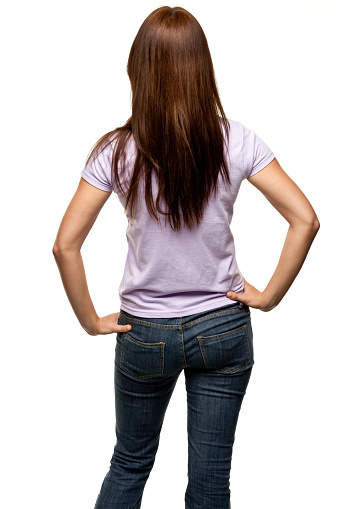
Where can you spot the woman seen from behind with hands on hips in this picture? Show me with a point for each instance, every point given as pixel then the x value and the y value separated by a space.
pixel 176 166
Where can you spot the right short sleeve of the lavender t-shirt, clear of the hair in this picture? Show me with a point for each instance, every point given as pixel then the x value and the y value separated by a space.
pixel 256 154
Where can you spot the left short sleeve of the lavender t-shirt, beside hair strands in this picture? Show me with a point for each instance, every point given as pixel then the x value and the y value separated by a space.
pixel 98 170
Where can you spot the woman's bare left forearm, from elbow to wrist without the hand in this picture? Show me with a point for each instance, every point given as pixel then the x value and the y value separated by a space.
pixel 73 277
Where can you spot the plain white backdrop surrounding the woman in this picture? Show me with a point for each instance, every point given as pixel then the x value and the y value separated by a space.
pixel 64 85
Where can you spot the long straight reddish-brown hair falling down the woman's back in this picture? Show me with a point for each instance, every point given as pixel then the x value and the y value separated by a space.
pixel 178 123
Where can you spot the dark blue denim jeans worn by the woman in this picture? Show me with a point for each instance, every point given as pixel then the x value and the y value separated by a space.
pixel 215 350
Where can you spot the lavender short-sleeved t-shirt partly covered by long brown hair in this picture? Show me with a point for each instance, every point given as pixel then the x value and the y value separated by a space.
pixel 173 274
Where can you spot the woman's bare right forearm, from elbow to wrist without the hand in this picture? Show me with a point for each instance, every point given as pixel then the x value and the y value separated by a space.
pixel 297 244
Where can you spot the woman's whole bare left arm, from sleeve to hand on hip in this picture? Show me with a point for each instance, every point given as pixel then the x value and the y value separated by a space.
pixel 77 222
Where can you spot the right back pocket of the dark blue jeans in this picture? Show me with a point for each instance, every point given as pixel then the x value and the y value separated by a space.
pixel 228 351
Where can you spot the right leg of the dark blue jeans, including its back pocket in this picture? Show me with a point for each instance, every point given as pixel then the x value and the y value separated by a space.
pixel 214 397
